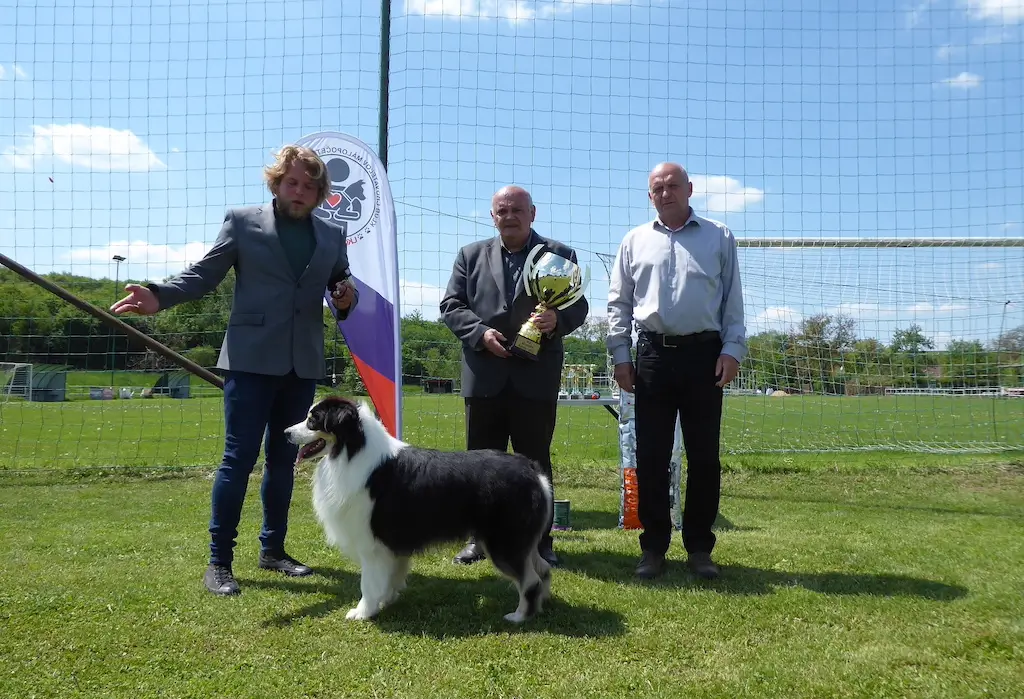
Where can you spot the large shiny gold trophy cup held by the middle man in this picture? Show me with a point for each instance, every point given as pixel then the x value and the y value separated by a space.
pixel 557 283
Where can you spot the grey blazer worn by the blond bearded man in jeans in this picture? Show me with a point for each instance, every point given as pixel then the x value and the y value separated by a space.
pixel 277 322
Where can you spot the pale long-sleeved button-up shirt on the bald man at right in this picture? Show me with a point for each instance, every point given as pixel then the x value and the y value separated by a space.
pixel 677 283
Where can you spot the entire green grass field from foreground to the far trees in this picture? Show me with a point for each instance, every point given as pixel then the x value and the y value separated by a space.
pixel 845 575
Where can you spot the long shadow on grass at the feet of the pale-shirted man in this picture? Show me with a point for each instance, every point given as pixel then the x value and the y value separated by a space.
pixel 735 580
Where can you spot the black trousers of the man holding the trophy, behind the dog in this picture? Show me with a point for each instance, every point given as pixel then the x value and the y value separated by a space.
pixel 529 424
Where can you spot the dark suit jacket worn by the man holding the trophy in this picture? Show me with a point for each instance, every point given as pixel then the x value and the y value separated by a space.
pixel 475 301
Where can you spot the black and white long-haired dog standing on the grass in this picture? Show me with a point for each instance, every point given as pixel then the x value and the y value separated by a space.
pixel 381 501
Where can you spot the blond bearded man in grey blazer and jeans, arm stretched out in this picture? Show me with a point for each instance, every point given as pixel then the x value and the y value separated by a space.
pixel 273 353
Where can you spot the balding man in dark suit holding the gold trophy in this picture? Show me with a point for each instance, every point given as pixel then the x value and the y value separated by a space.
pixel 507 398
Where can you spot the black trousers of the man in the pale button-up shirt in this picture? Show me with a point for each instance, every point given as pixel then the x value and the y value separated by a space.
pixel 670 382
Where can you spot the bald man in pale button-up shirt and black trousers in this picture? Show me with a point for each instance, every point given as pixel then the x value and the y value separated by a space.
pixel 677 278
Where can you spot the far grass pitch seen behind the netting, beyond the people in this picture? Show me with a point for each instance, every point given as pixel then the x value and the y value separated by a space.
pixel 166 433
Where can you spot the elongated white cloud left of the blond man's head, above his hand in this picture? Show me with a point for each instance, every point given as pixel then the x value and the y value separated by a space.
pixel 95 148
